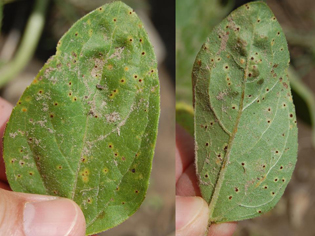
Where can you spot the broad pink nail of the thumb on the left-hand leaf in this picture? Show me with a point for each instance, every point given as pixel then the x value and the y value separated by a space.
pixel 49 218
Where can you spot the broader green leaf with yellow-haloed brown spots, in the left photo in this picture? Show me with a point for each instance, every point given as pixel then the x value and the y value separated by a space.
pixel 86 127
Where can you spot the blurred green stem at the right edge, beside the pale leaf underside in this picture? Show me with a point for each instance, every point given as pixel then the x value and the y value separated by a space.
pixel 307 95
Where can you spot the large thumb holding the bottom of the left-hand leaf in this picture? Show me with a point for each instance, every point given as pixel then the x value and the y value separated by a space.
pixel 37 215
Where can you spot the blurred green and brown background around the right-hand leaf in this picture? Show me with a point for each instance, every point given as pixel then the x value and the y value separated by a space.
pixel 295 213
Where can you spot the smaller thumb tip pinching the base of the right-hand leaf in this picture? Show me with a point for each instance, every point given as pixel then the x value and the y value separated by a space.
pixel 191 216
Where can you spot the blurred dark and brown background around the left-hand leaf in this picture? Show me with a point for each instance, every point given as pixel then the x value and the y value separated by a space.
pixel 30 30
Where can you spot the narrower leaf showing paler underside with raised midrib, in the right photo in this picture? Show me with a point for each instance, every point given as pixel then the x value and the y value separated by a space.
pixel 245 123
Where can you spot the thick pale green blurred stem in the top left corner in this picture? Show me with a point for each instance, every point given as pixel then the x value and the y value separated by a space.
pixel 28 45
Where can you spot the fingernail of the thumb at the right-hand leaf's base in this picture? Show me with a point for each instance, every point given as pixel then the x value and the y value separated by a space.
pixel 187 209
